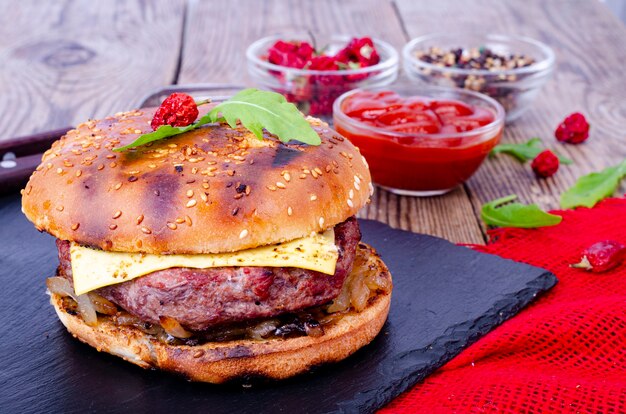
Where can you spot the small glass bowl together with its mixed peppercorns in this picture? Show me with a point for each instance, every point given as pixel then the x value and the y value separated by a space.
pixel 510 69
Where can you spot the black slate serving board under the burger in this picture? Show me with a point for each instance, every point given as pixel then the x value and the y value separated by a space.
pixel 445 297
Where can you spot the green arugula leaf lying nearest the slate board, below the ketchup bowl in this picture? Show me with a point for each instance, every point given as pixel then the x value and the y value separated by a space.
pixel 503 213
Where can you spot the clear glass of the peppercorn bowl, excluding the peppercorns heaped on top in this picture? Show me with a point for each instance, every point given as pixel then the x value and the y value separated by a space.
pixel 515 88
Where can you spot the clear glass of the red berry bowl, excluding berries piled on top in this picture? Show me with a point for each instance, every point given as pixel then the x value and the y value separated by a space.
pixel 314 91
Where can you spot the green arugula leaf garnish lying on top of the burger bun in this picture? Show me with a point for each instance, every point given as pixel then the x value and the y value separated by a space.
pixel 256 110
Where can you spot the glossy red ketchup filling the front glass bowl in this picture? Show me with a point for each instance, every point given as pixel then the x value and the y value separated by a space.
pixel 423 156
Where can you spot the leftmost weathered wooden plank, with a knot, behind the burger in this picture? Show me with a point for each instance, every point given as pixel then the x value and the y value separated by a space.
pixel 65 62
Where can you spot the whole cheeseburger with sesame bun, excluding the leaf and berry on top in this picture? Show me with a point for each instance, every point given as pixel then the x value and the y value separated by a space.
pixel 210 254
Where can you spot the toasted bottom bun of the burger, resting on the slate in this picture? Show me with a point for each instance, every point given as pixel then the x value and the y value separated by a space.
pixel 219 362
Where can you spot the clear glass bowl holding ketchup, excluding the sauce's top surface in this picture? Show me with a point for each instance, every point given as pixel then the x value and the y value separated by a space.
pixel 421 164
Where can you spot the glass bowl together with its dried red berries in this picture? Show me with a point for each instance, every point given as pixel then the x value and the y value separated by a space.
pixel 313 77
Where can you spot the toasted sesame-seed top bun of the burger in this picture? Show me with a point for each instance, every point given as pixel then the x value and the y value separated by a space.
pixel 211 190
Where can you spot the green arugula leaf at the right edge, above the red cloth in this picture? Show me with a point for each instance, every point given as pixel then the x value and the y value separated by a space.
pixel 591 188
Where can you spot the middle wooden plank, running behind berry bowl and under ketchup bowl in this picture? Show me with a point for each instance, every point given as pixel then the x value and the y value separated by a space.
pixel 214 51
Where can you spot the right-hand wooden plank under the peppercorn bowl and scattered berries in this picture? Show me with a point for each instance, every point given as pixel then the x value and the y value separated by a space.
pixel 589 44
